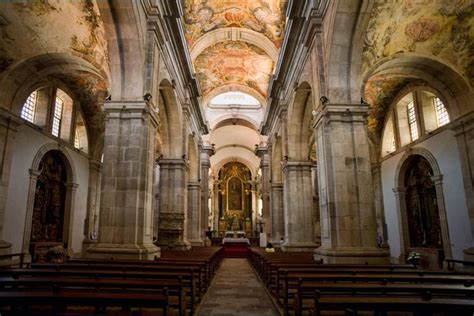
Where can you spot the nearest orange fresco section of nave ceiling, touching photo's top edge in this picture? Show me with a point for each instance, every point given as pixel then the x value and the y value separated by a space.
pixel 263 16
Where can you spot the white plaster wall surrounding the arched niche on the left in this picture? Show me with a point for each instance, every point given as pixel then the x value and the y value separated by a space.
pixel 27 144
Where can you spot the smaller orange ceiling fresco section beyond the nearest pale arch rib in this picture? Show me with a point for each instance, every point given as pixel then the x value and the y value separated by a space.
pixel 234 62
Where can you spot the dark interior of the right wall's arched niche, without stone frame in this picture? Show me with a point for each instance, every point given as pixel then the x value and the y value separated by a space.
pixel 424 227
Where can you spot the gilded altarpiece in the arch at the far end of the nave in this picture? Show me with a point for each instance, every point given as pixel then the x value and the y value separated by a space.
pixel 235 197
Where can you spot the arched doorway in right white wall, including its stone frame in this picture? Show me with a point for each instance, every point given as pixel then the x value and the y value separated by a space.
pixel 419 191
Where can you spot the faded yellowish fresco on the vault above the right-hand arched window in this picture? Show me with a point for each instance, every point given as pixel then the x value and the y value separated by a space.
pixel 442 29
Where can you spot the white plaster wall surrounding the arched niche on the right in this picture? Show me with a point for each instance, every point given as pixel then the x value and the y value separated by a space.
pixel 443 146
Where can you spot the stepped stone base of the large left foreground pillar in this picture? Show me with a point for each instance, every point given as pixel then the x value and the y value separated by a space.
pixel 124 251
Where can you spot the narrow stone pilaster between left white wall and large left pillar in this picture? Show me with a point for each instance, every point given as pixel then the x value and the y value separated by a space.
pixel 93 204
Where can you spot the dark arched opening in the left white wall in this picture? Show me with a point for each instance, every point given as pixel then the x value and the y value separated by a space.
pixel 49 207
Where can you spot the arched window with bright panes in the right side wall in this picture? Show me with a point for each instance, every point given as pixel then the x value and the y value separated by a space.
pixel 415 115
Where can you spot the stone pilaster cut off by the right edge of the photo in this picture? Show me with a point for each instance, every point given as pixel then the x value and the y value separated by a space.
pixel 464 129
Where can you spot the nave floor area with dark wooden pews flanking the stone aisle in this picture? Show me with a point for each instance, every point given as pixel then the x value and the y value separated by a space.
pixel 213 281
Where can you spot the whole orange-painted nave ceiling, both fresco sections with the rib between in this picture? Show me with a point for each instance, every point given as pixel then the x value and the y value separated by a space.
pixel 233 57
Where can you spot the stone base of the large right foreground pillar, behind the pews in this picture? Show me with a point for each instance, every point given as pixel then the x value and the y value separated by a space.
pixel 353 255
